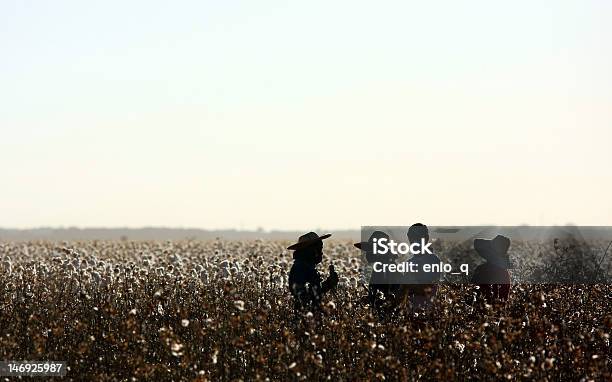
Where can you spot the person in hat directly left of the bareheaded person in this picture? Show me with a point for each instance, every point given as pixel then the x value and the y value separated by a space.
pixel 383 288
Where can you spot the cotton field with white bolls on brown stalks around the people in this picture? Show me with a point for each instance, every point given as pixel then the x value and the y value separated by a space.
pixel 220 310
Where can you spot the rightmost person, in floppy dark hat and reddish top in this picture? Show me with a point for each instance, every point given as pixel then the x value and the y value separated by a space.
pixel 493 277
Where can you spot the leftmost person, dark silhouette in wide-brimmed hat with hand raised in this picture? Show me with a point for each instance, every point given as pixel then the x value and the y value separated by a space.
pixel 304 280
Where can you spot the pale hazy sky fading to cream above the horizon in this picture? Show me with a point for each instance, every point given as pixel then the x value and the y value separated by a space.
pixel 296 115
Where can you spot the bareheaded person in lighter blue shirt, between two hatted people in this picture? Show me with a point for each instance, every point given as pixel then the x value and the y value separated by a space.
pixel 420 287
